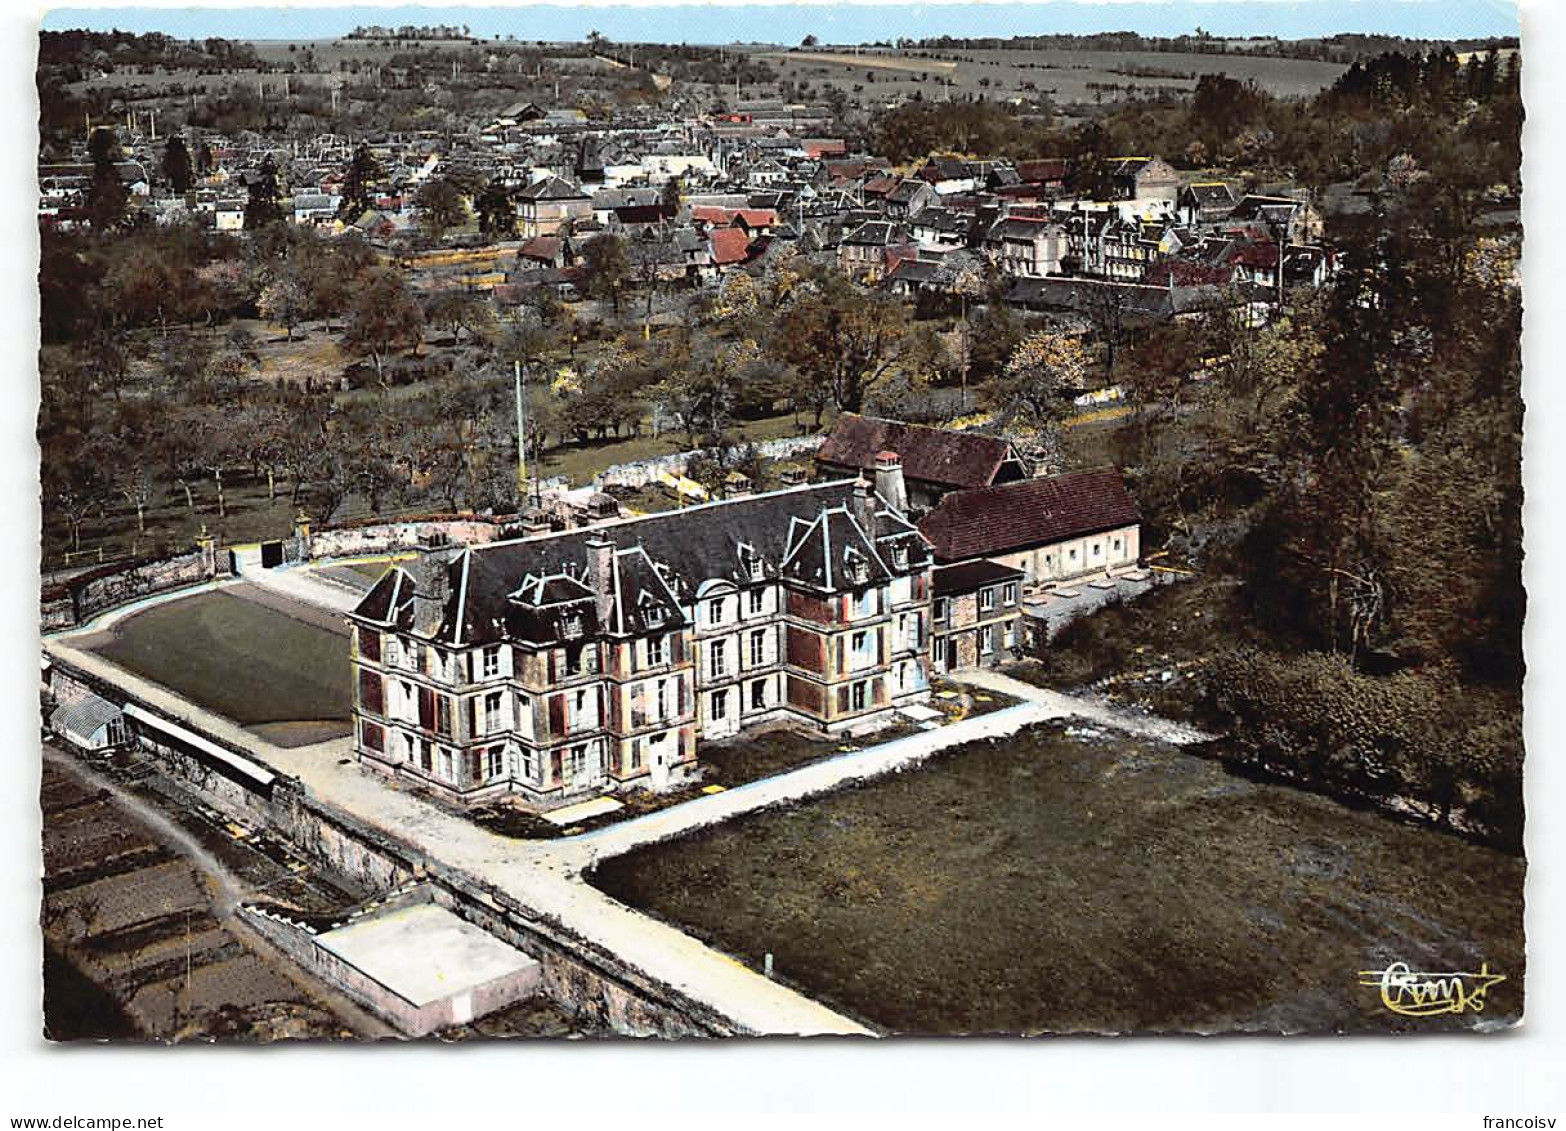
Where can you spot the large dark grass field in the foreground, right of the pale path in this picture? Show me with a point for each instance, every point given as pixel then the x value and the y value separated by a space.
pixel 1080 883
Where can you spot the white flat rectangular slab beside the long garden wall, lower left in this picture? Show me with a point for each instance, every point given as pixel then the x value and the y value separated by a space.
pixel 425 953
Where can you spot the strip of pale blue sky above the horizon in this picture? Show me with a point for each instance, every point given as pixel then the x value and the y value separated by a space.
pixel 832 23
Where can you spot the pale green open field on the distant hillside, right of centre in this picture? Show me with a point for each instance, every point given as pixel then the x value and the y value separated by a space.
pixel 1064 76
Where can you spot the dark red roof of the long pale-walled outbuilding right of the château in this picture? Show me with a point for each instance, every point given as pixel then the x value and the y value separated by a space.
pixel 1020 516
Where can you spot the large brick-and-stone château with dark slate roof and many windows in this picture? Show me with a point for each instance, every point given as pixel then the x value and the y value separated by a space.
pixel 596 660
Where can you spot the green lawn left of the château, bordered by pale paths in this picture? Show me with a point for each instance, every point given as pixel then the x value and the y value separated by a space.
pixel 247 662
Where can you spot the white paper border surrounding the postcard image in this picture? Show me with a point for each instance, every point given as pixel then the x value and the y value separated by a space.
pixel 541 1085
